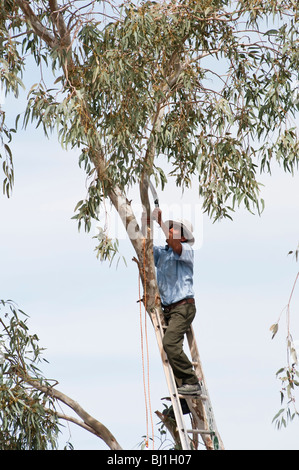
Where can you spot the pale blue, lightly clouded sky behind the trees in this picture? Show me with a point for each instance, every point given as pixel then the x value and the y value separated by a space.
pixel 86 314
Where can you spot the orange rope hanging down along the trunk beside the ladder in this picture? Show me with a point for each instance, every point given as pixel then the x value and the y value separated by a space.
pixel 146 392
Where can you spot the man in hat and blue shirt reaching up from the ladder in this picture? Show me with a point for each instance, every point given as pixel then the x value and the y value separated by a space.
pixel 174 264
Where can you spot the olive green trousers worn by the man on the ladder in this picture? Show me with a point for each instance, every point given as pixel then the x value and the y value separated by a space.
pixel 178 322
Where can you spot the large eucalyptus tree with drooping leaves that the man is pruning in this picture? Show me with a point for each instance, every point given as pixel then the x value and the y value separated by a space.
pixel 209 86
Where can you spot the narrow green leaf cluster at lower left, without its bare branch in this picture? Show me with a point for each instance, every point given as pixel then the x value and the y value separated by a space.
pixel 27 416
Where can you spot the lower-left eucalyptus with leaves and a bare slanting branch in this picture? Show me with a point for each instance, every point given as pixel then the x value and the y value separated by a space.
pixel 29 413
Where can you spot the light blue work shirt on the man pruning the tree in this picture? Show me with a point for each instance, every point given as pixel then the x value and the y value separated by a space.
pixel 174 273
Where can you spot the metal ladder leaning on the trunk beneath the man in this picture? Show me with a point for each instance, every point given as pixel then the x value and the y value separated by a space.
pixel 202 416
